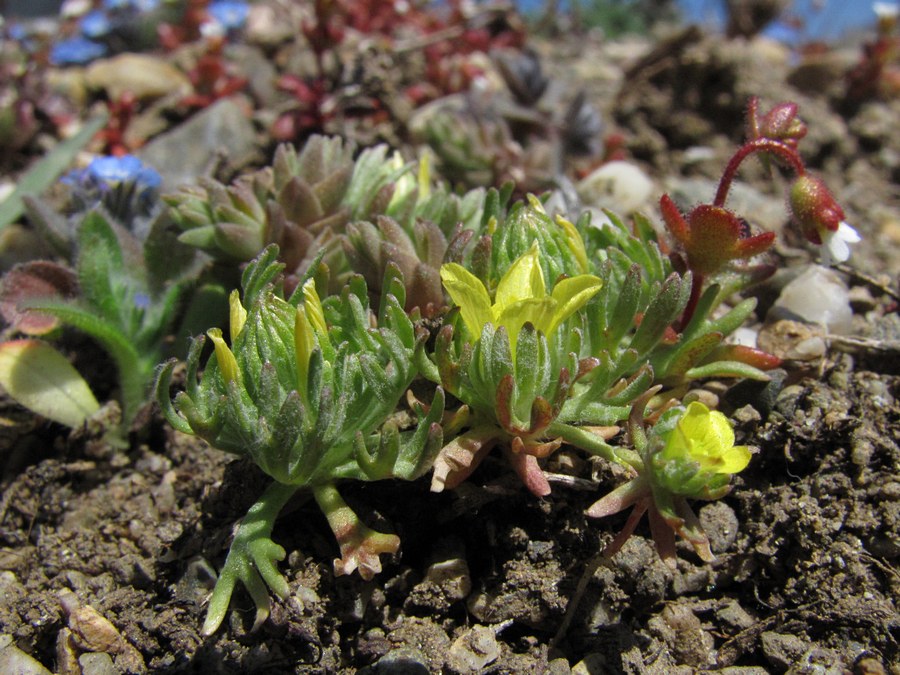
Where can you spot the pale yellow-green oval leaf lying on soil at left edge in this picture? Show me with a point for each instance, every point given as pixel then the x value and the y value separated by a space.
pixel 43 380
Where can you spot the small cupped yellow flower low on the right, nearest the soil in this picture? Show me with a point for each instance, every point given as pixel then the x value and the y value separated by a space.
pixel 706 438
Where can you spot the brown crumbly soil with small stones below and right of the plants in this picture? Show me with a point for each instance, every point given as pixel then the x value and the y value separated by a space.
pixel 108 555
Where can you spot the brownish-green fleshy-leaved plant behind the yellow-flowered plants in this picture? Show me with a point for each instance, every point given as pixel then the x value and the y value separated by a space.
pixel 363 214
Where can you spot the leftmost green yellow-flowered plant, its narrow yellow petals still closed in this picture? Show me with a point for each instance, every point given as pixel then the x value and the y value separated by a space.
pixel 307 391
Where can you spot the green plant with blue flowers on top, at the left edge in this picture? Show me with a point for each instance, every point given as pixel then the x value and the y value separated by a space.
pixel 126 289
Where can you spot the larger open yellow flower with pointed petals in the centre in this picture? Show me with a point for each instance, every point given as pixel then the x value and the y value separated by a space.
pixel 521 297
